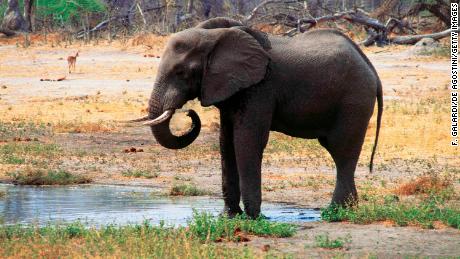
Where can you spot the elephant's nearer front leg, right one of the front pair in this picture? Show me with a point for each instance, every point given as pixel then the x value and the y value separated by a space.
pixel 249 143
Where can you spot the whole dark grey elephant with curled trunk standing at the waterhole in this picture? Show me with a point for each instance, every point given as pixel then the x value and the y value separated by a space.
pixel 317 85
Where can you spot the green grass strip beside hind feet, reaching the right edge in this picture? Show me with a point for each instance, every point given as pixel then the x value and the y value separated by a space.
pixel 424 213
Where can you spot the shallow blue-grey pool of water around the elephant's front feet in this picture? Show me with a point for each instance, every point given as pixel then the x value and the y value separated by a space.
pixel 105 204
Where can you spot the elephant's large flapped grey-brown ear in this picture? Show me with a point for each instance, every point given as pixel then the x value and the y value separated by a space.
pixel 236 62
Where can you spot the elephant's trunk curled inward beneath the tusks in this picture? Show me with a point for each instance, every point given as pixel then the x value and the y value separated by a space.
pixel 160 128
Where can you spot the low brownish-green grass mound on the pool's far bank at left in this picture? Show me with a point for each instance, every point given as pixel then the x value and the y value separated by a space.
pixel 50 177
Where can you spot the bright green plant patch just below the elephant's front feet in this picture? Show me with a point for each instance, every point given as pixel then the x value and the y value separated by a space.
pixel 209 228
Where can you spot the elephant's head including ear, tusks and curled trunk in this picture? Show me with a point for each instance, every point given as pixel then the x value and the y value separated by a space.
pixel 211 62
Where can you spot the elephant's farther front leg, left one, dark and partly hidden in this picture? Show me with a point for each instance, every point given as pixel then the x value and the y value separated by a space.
pixel 230 178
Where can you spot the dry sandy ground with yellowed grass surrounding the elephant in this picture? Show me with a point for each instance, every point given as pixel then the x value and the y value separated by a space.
pixel 113 81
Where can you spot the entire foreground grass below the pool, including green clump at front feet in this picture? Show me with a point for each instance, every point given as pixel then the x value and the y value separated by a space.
pixel 197 240
